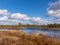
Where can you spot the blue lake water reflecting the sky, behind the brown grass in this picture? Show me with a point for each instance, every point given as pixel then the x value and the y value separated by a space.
pixel 53 33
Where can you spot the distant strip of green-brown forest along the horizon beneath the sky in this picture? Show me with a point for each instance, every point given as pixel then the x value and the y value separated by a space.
pixel 19 25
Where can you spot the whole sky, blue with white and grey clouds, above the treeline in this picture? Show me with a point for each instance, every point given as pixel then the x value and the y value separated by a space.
pixel 29 11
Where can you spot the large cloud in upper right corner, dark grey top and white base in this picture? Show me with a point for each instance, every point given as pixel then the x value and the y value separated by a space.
pixel 54 9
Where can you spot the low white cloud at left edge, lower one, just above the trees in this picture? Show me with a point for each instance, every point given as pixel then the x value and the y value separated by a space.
pixel 6 20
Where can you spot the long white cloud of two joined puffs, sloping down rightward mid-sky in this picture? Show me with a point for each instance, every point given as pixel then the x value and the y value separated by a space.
pixel 36 20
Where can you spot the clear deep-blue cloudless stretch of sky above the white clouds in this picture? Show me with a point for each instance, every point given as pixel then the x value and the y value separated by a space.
pixel 30 7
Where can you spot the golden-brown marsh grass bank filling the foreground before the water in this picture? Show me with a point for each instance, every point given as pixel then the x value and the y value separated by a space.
pixel 14 37
